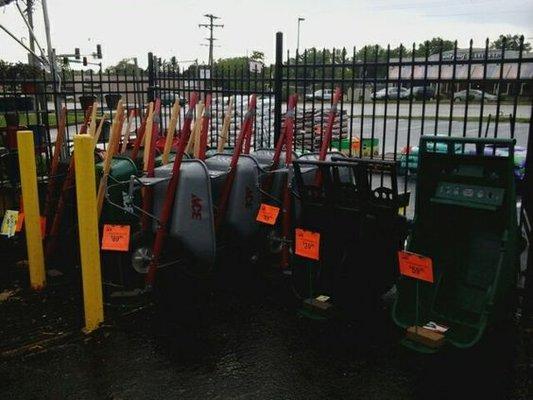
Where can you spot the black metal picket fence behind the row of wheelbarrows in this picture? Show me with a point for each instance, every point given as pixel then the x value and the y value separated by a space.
pixel 390 97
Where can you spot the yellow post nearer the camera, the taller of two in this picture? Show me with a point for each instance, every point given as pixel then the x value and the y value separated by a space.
pixel 88 231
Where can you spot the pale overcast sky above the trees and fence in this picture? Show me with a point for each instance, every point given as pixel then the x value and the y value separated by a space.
pixel 129 28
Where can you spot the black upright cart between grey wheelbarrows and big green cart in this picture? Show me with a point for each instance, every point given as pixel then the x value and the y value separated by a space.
pixel 355 212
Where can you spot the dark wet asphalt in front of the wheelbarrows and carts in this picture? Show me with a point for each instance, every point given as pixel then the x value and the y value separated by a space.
pixel 244 338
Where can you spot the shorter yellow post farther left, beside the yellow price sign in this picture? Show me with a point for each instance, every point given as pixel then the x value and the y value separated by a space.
pixel 28 181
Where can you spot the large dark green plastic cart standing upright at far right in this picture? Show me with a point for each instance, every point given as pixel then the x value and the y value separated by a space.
pixel 466 224
